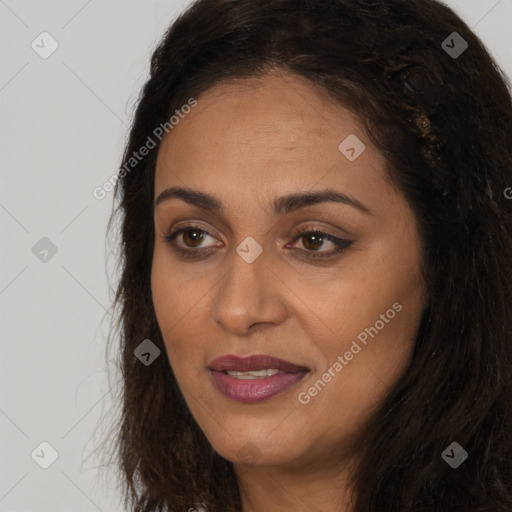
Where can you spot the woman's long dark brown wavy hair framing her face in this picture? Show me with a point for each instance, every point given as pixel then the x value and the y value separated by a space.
pixel 444 125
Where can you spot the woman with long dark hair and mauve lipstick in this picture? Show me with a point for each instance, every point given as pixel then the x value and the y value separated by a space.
pixel 315 305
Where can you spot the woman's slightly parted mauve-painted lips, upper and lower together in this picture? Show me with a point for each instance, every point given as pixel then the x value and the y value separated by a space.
pixel 254 390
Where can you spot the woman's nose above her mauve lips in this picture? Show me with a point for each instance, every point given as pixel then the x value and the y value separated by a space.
pixel 249 296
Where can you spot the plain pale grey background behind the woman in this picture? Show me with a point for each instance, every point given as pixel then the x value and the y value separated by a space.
pixel 64 122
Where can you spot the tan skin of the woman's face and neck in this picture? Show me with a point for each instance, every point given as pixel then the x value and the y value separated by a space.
pixel 246 143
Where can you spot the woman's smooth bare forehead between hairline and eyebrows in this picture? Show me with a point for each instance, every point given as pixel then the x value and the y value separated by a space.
pixel 268 136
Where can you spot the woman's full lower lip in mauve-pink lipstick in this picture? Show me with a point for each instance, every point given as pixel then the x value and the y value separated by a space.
pixel 251 391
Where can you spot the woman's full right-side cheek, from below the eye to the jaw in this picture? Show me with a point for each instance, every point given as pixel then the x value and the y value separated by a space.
pixel 371 320
